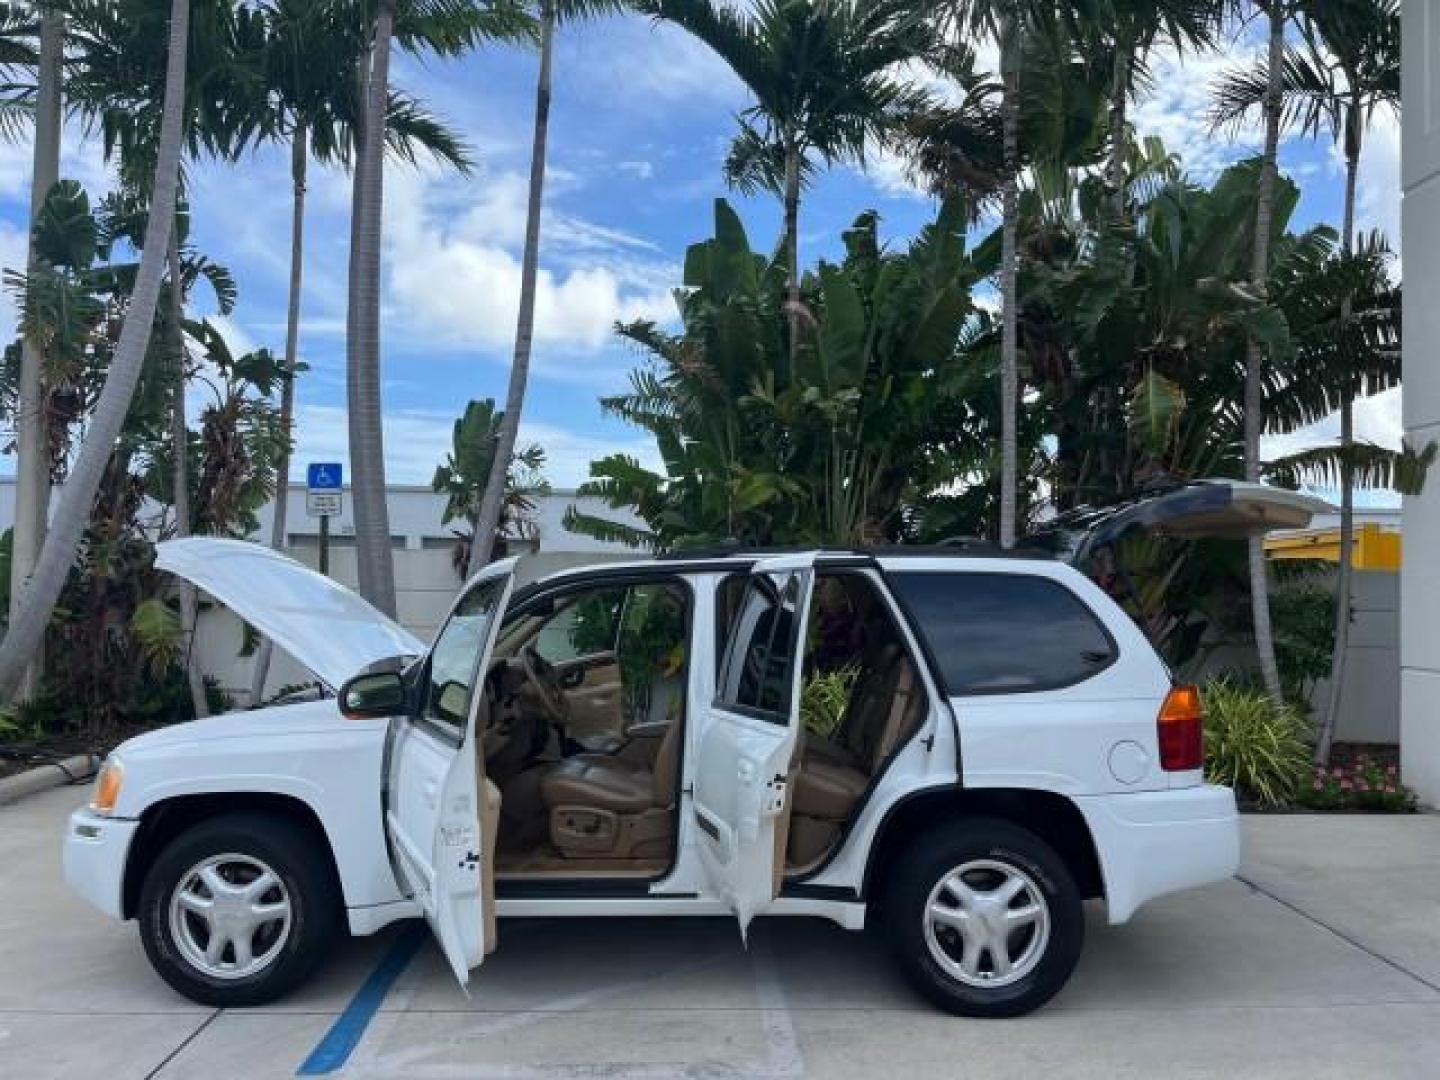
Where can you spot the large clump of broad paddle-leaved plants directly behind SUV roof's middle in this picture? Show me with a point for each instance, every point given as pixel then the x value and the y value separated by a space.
pixel 827 444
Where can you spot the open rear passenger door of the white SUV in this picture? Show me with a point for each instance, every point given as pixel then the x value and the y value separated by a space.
pixel 752 738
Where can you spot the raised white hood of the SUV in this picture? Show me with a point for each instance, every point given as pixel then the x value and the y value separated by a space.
pixel 320 623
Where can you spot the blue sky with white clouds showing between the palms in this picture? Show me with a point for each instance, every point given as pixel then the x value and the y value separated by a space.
pixel 640 126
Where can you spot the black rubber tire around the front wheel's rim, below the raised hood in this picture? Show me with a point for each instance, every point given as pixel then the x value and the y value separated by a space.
pixel 303 865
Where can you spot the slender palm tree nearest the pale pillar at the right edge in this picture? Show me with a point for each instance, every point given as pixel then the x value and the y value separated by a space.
pixel 1346 71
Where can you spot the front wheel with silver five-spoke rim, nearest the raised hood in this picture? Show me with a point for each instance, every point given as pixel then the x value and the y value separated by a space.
pixel 240 909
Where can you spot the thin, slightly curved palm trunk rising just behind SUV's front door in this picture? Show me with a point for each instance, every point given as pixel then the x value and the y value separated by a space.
pixel 487 523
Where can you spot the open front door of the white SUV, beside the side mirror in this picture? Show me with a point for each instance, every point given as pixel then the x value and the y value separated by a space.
pixel 440 810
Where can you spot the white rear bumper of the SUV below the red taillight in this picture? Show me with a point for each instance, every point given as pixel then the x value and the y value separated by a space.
pixel 1157 843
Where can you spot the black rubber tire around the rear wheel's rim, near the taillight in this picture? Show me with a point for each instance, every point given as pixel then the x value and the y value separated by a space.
pixel 928 862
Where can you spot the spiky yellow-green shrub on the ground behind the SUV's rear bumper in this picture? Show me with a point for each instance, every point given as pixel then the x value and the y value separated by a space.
pixel 1254 745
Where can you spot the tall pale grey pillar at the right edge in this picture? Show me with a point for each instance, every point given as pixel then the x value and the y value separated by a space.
pixel 1421 578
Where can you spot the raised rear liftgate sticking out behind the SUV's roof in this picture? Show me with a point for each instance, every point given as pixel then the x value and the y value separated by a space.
pixel 1205 509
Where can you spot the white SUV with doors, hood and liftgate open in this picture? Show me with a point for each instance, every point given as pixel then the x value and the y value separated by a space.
pixel 960 745
